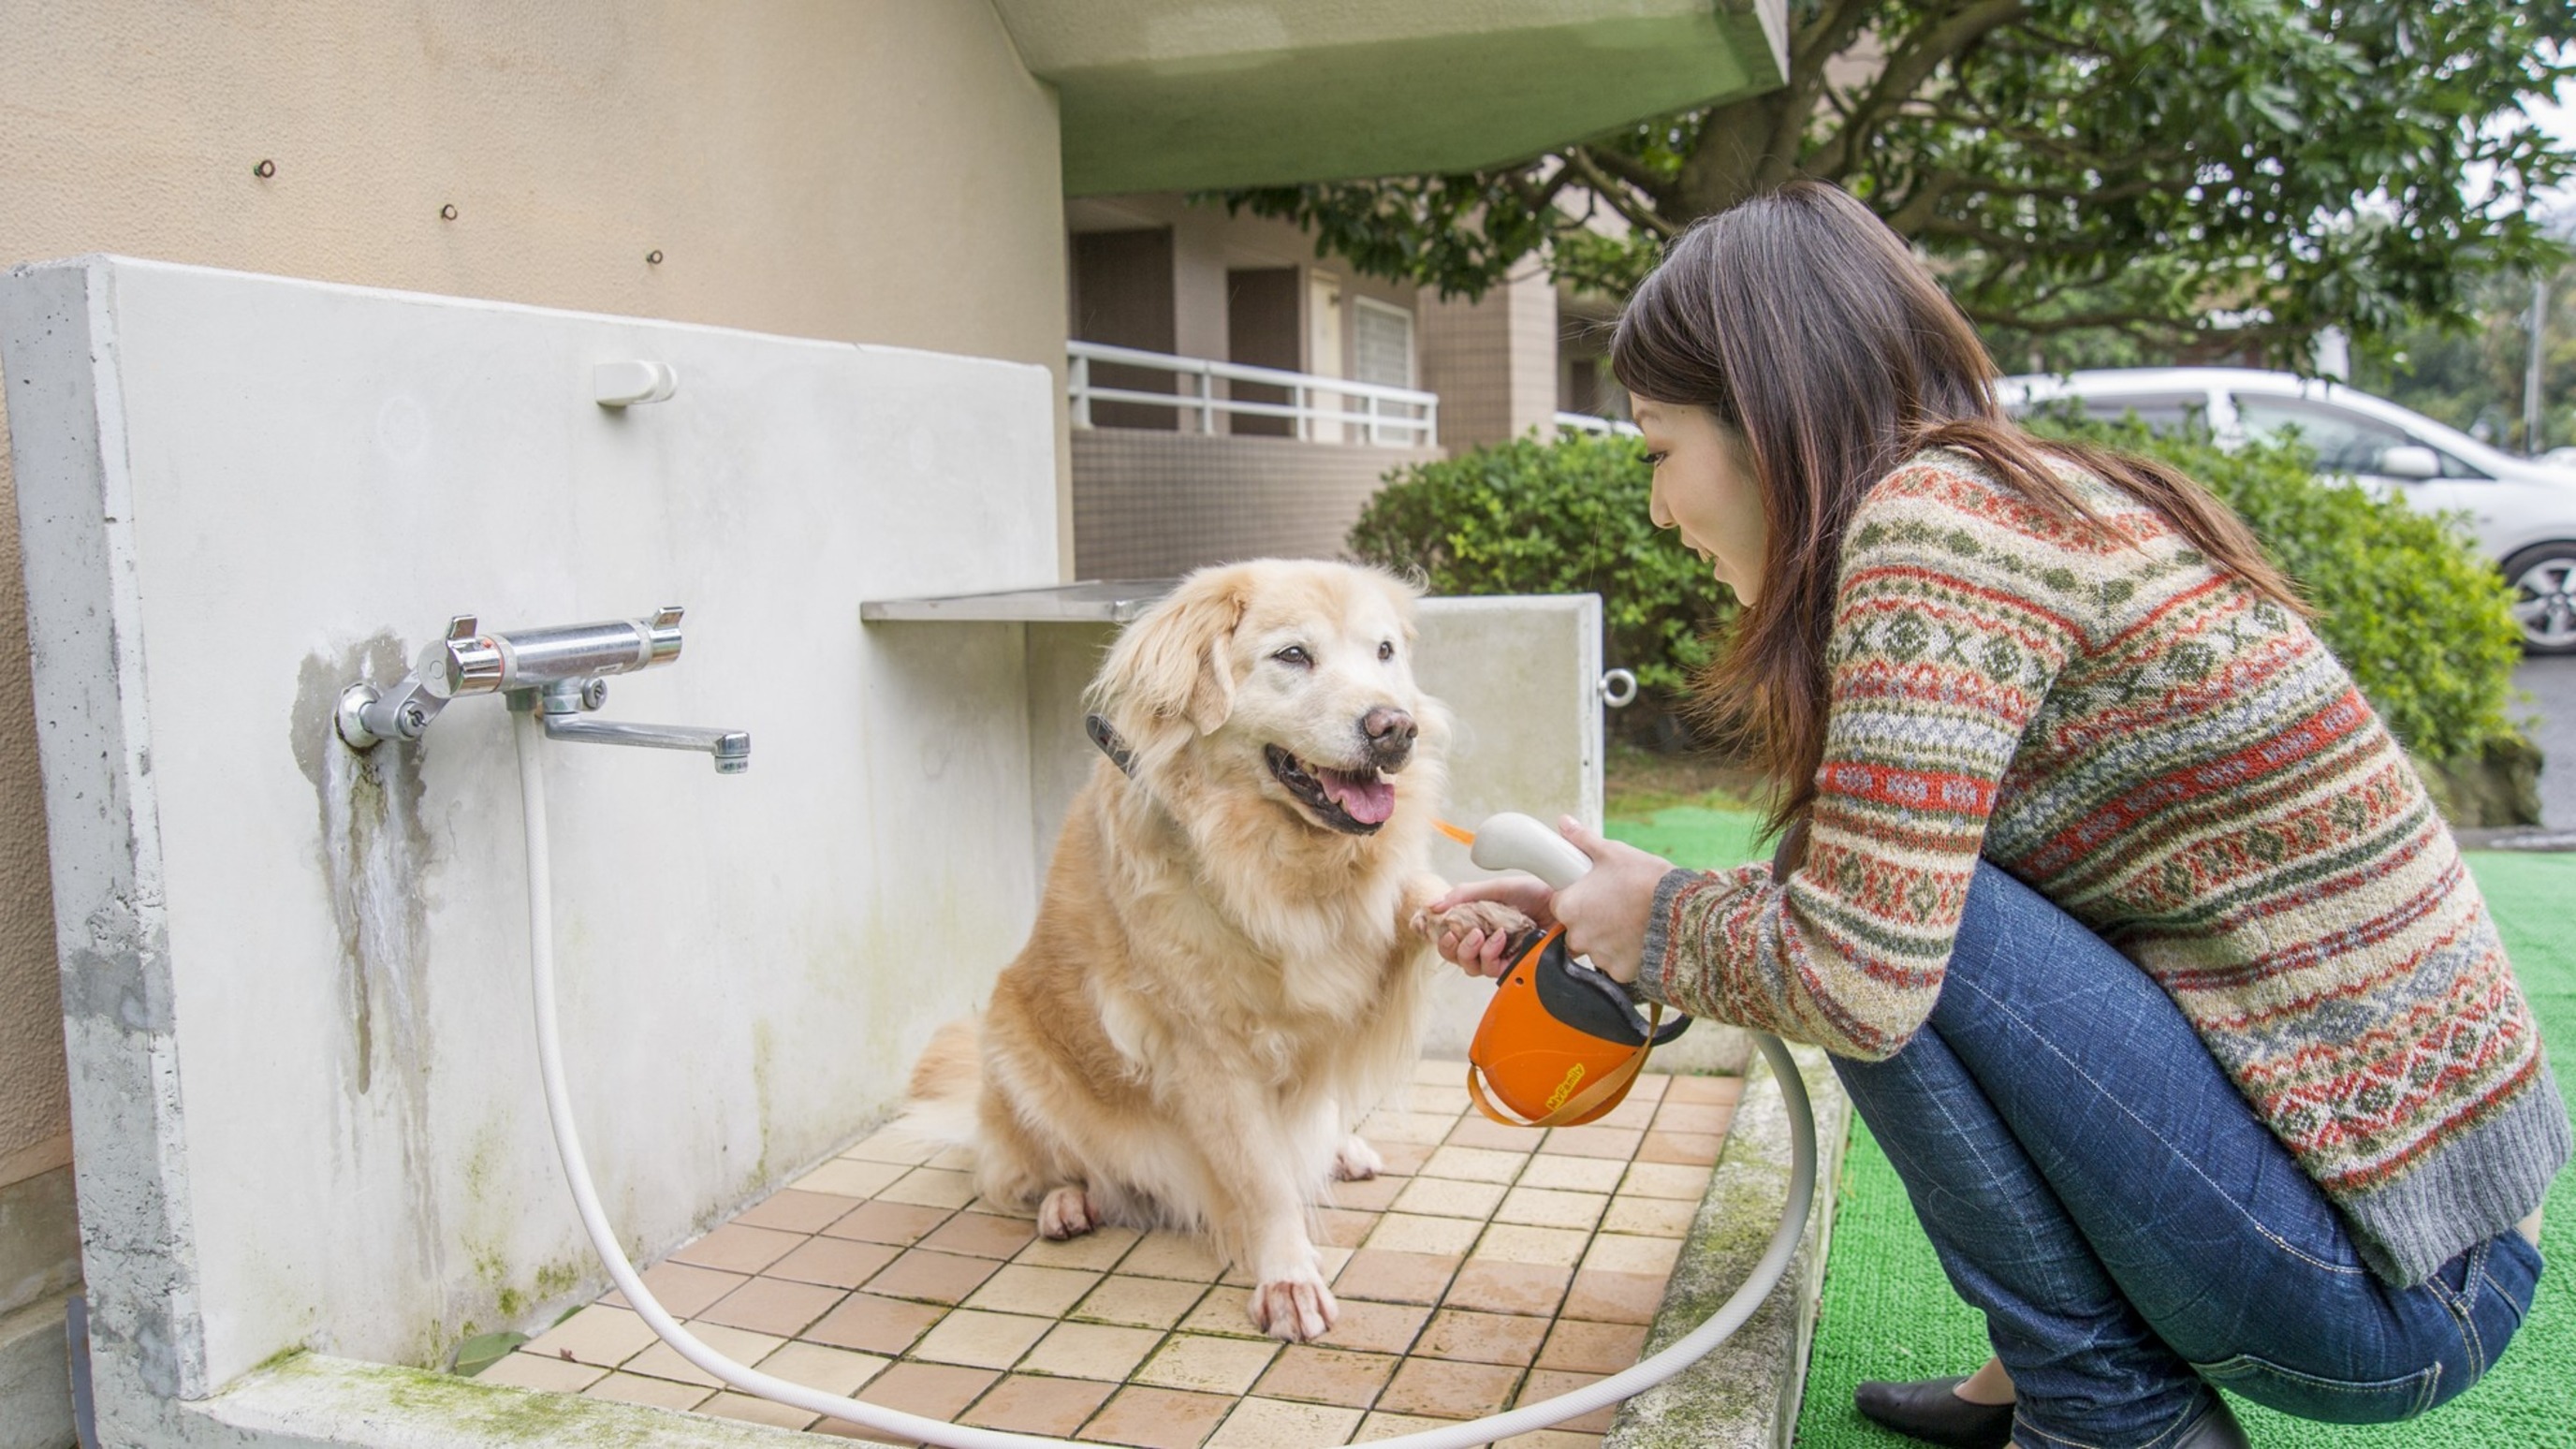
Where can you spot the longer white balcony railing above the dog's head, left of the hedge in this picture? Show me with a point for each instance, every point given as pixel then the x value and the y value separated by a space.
pixel 1320 409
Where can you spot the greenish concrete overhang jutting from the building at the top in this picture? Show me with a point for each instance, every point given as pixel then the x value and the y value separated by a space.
pixel 1191 94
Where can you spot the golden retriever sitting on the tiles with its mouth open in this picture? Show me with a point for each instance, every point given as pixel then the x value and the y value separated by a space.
pixel 1230 955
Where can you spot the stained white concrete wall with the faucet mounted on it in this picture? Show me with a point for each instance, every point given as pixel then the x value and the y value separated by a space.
pixel 305 1092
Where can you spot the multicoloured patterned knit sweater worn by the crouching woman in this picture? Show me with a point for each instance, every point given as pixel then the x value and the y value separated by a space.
pixel 2183 767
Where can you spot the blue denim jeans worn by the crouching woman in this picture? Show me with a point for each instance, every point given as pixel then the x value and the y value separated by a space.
pixel 2126 1223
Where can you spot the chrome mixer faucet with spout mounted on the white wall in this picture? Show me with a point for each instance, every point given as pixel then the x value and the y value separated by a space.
pixel 553 672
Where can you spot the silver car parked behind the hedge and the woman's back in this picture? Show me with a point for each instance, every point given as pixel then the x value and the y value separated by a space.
pixel 2523 512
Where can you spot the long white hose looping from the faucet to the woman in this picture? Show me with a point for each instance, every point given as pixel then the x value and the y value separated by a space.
pixel 911 1427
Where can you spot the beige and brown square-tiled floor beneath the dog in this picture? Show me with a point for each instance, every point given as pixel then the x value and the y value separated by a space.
pixel 1482 1270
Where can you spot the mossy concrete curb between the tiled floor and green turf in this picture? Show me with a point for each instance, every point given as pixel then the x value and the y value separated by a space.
pixel 1745 1394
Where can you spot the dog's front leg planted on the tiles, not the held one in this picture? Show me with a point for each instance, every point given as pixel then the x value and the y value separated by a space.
pixel 1258 1213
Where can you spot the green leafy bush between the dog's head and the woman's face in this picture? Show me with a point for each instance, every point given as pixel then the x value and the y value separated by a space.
pixel 1565 517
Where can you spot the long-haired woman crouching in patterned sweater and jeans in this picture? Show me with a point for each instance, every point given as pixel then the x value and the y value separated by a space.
pixel 2129 927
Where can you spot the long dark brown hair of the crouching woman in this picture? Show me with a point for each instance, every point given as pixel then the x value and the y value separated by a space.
pixel 1810 329
